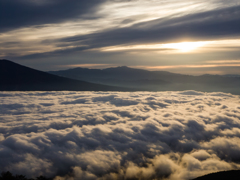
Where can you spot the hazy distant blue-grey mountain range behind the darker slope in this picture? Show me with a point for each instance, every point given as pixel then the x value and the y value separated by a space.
pixel 153 80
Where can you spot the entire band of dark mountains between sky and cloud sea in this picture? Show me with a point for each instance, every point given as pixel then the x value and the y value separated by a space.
pixel 16 77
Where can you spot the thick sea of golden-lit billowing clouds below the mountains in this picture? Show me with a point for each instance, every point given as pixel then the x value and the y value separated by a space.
pixel 119 135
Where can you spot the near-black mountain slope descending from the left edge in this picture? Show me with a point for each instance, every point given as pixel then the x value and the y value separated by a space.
pixel 15 77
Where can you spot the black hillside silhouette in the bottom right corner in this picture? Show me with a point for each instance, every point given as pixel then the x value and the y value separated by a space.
pixel 223 175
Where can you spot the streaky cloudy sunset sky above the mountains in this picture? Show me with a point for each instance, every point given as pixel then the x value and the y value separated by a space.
pixel 188 37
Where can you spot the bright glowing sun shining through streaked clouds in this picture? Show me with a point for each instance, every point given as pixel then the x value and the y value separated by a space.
pixel 185 46
